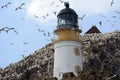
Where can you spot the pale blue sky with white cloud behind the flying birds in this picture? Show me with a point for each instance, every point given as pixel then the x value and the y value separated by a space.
pixel 40 14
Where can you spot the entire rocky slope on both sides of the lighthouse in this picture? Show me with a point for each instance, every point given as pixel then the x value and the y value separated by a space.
pixel 101 59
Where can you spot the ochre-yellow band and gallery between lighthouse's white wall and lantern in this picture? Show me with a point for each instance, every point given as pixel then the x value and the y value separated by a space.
pixel 67 34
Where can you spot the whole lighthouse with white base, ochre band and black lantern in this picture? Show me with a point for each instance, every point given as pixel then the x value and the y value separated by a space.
pixel 67 45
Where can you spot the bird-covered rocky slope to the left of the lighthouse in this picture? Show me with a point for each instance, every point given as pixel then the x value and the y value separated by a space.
pixel 36 66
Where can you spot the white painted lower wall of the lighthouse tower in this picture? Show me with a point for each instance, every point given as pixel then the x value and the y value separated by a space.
pixel 65 59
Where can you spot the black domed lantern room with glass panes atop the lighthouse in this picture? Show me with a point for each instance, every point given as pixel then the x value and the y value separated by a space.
pixel 67 18
